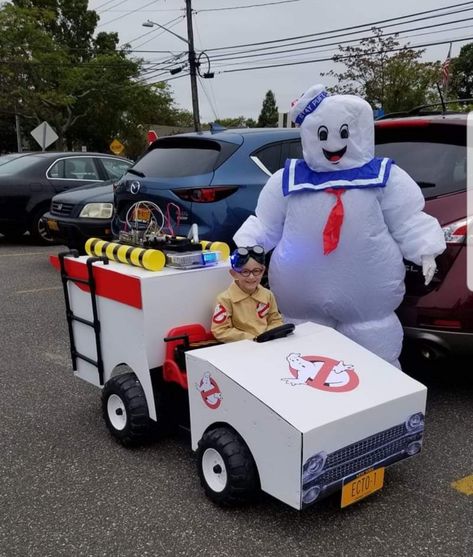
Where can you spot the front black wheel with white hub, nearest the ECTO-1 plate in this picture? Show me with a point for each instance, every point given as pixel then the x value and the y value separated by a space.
pixel 227 470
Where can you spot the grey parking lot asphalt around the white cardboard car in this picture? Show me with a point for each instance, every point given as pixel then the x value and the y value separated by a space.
pixel 67 489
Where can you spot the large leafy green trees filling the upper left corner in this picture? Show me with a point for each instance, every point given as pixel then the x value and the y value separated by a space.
pixel 53 68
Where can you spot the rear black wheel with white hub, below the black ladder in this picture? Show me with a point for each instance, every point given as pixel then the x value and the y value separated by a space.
pixel 125 410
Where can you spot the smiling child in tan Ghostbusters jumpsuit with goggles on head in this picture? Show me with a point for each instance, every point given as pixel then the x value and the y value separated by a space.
pixel 246 309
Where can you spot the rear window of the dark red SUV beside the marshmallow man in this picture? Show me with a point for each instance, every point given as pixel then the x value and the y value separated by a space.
pixel 434 156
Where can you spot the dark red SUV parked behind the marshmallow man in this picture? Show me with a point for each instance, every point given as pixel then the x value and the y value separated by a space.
pixel 432 149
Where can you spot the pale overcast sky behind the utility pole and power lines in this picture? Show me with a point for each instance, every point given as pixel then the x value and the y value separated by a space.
pixel 232 94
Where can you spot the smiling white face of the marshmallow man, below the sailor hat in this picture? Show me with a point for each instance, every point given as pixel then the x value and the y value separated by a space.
pixel 339 134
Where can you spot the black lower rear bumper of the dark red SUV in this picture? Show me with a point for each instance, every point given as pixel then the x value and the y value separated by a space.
pixel 447 342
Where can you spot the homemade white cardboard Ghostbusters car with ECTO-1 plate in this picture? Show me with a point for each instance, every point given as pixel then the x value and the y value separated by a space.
pixel 298 417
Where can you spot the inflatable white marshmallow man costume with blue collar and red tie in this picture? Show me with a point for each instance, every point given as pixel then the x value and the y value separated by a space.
pixel 340 222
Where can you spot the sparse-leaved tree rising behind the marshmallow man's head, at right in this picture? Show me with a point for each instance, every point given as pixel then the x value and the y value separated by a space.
pixel 387 75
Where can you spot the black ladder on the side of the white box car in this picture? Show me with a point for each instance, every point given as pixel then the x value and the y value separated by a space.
pixel 95 323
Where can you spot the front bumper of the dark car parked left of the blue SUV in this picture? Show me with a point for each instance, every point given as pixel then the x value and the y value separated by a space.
pixel 75 232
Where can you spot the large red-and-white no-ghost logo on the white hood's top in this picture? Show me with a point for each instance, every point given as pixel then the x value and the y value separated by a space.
pixel 320 372
